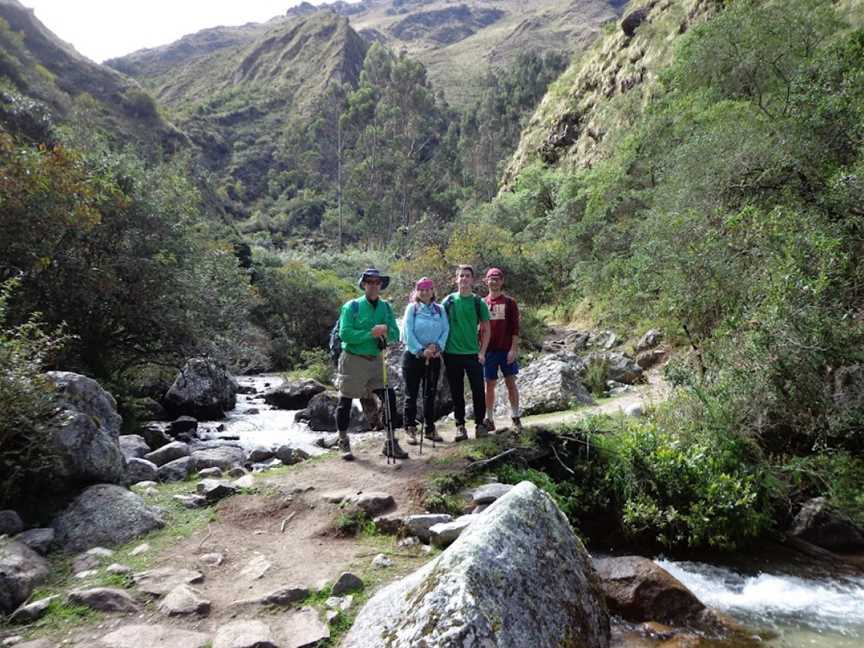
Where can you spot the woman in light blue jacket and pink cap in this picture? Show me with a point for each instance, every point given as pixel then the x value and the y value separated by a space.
pixel 424 332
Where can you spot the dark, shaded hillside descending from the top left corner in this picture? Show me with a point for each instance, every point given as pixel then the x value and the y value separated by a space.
pixel 61 84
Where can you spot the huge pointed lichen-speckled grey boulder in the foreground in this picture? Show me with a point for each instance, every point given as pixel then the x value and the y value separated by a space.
pixel 518 576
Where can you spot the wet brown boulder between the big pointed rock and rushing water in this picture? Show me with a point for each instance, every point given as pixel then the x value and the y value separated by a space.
pixel 639 590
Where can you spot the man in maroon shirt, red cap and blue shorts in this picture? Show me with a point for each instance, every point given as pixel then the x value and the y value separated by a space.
pixel 503 348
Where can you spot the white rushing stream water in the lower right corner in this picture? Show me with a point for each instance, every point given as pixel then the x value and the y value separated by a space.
pixel 786 610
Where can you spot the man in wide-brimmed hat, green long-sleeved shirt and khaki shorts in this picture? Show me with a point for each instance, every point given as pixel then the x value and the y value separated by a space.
pixel 365 324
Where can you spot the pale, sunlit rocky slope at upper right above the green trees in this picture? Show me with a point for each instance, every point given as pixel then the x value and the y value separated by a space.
pixel 607 87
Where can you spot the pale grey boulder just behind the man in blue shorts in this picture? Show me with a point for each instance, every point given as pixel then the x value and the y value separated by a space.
pixel 549 384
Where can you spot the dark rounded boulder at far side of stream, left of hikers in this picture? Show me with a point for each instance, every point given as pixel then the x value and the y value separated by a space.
pixel 203 389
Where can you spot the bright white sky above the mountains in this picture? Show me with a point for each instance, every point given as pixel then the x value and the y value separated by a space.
pixel 102 29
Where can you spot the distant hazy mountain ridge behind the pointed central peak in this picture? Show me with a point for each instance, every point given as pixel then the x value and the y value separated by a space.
pixel 456 41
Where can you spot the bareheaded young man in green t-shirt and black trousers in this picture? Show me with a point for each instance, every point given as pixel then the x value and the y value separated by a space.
pixel 464 354
